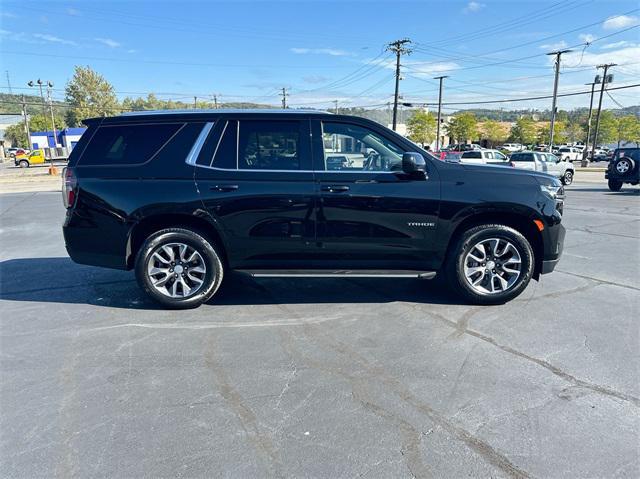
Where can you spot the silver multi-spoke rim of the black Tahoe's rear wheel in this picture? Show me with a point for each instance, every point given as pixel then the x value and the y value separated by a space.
pixel 176 270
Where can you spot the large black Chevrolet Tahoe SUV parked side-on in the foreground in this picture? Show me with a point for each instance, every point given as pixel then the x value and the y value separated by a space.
pixel 183 197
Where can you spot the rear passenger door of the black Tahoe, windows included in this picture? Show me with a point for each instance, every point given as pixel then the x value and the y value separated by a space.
pixel 255 179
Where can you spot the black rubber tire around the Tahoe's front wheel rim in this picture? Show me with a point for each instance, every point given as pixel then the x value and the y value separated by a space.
pixel 479 233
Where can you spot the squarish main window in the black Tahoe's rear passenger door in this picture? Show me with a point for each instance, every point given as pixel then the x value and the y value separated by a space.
pixel 272 145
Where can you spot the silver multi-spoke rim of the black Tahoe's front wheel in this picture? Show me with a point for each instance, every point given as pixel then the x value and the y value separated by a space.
pixel 492 266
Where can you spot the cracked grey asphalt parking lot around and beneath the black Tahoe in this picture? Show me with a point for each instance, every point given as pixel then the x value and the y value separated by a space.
pixel 321 378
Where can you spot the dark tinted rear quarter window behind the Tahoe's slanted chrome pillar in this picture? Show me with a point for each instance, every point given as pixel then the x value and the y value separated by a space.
pixel 127 144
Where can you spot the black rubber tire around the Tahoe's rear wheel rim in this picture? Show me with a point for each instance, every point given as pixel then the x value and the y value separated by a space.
pixel 213 276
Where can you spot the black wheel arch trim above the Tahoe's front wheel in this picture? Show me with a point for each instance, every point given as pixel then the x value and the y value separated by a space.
pixel 519 221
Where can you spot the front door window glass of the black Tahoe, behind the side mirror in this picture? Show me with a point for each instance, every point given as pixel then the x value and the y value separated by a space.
pixel 354 148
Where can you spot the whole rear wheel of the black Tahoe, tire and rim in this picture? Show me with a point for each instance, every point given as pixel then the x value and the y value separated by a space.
pixel 167 245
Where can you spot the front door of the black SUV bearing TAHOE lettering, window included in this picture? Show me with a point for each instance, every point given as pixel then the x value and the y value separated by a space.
pixel 370 214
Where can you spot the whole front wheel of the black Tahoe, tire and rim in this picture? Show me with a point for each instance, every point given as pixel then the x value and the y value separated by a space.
pixel 459 264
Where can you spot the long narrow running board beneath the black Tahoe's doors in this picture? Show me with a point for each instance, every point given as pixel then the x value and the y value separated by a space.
pixel 337 273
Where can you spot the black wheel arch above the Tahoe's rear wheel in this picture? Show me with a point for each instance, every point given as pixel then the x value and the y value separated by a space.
pixel 149 225
